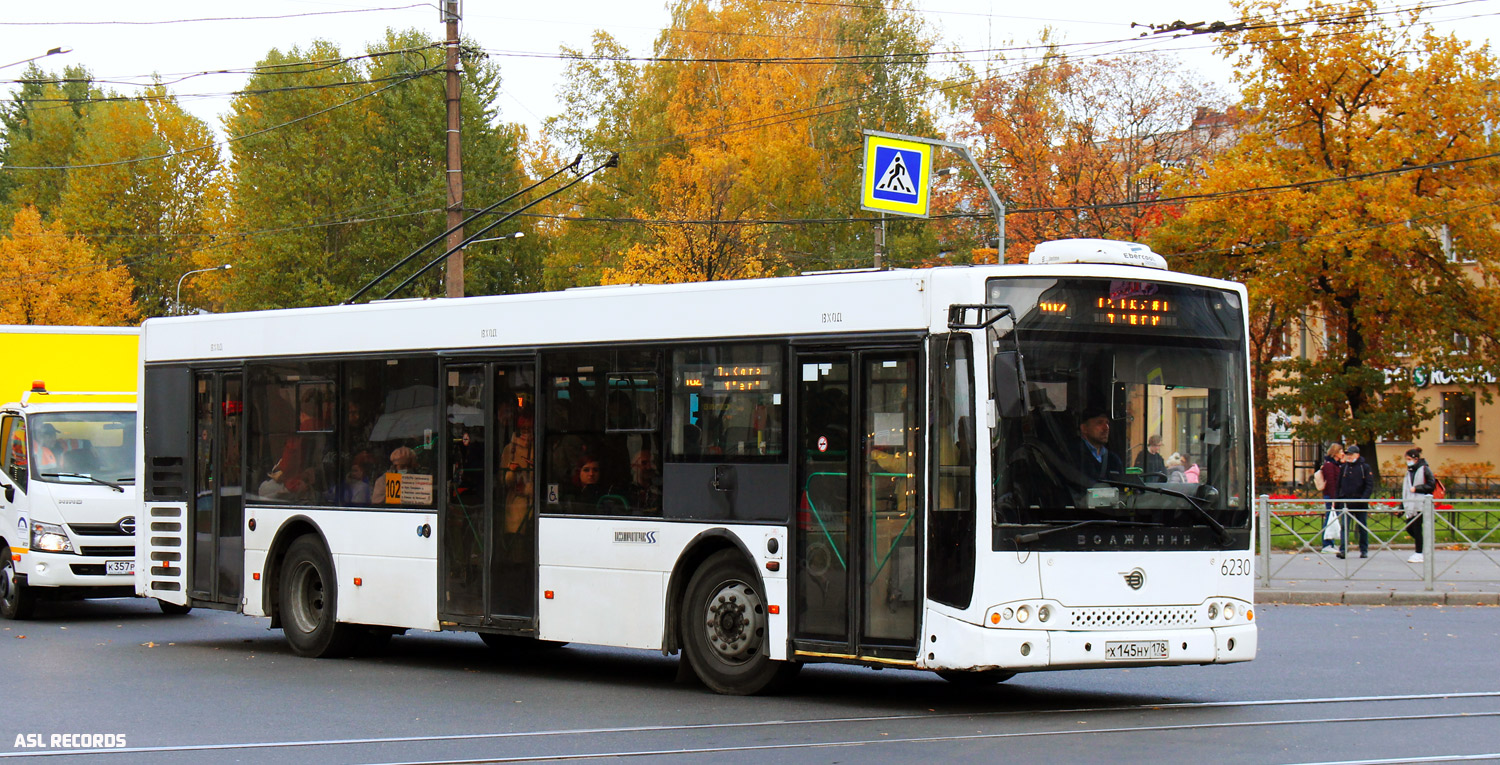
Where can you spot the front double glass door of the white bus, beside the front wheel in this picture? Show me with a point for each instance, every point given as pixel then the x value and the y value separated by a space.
pixel 860 436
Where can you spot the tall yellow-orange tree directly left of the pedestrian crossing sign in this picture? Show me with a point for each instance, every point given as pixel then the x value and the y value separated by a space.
pixel 746 119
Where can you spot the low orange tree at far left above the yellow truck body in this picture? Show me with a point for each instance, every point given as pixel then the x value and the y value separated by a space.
pixel 49 277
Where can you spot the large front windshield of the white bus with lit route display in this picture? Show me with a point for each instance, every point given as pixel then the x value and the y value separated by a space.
pixel 1135 431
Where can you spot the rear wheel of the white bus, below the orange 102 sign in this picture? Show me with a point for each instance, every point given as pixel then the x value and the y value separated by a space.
pixel 310 602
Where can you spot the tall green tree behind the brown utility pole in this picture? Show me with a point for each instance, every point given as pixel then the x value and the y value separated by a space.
pixel 334 184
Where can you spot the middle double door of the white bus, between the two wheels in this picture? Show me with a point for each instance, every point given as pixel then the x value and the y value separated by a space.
pixel 488 530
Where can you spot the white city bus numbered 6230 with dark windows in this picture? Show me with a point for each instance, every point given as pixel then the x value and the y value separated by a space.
pixel 886 469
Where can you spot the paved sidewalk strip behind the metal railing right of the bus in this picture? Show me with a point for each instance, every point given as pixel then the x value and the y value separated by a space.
pixel 1462 578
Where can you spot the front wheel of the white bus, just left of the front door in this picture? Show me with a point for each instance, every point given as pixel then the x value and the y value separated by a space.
pixel 725 629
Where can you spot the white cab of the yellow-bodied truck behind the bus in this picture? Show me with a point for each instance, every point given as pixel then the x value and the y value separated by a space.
pixel 67 500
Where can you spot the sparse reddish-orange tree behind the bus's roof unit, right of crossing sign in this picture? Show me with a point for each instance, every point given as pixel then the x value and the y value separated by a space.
pixel 1072 143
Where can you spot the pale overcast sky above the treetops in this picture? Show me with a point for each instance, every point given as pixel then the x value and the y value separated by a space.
pixel 508 29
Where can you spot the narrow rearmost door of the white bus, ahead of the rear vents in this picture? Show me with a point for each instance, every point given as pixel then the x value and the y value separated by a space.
pixel 218 511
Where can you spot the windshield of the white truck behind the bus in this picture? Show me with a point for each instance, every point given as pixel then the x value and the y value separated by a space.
pixel 83 448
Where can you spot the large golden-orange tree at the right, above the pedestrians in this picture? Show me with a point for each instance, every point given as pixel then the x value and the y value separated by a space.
pixel 1366 134
